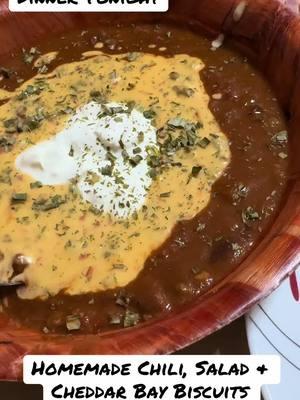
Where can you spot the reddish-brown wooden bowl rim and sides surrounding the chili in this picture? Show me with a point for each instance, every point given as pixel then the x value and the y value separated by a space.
pixel 267 33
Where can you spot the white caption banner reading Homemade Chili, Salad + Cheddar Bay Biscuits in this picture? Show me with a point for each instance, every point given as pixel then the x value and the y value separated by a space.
pixel 152 377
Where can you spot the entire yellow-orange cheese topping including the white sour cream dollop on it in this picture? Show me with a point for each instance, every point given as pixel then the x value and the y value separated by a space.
pixel 101 159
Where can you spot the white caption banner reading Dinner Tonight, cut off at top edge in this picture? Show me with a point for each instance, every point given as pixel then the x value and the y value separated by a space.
pixel 89 5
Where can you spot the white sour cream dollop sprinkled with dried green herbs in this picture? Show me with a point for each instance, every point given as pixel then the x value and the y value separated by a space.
pixel 104 150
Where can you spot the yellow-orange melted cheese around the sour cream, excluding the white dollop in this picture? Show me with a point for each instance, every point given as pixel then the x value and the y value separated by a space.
pixel 73 247
